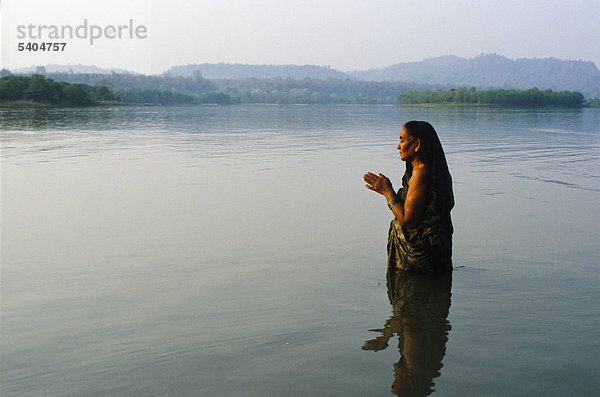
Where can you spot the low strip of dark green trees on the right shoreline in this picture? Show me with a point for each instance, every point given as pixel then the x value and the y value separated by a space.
pixel 530 97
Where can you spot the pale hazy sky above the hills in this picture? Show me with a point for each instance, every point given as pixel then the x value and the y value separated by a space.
pixel 346 35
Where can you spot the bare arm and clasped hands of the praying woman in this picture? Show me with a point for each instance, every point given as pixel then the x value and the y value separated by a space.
pixel 411 212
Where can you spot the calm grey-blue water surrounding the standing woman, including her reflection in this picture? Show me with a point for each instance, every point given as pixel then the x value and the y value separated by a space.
pixel 216 251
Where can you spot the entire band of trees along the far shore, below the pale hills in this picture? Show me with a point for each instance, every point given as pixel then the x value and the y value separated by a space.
pixel 113 89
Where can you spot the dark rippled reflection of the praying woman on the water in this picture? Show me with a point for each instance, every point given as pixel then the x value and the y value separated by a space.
pixel 420 310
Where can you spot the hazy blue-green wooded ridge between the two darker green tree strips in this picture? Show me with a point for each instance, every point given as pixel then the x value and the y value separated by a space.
pixel 135 88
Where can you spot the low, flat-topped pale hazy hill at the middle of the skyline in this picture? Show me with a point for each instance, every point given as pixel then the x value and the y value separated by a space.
pixel 243 71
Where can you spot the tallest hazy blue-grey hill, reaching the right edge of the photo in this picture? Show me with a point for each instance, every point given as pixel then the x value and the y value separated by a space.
pixel 494 71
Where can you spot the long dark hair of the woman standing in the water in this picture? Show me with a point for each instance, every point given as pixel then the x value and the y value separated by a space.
pixel 432 155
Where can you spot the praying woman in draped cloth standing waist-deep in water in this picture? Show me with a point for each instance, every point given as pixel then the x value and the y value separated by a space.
pixel 420 236
